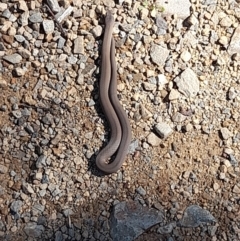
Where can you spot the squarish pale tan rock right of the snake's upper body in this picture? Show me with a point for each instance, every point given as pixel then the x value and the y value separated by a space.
pixel 159 54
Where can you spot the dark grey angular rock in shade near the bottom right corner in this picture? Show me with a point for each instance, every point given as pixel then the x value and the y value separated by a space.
pixel 194 216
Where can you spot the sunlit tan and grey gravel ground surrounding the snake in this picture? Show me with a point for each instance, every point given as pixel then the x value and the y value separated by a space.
pixel 179 82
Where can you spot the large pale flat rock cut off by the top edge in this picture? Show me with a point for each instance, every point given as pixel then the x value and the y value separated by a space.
pixel 172 7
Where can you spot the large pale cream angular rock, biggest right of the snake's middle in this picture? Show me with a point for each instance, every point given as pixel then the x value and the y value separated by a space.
pixel 187 83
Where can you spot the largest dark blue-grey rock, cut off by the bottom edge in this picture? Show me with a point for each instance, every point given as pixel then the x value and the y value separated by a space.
pixel 130 219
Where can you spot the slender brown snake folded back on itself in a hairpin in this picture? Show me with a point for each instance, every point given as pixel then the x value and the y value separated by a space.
pixel 120 128
